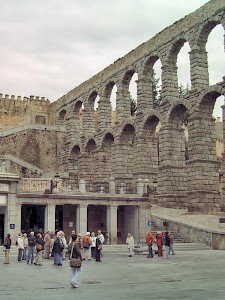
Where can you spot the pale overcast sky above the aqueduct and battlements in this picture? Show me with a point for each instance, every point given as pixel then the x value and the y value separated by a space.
pixel 50 47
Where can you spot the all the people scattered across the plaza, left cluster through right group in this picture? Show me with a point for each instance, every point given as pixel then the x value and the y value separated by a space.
pixel 33 248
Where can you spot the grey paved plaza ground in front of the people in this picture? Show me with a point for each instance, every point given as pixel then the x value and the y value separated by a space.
pixel 187 275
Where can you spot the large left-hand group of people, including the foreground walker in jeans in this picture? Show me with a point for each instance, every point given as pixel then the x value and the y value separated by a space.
pixel 32 248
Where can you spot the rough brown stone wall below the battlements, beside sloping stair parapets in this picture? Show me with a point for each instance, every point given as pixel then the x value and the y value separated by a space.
pixel 40 148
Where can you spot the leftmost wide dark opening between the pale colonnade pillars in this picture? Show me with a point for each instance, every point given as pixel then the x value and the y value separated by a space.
pixel 32 218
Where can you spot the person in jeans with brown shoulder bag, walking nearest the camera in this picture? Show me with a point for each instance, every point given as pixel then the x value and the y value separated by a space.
pixel 74 251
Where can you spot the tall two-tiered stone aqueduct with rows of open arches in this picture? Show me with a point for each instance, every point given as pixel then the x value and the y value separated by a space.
pixel 131 149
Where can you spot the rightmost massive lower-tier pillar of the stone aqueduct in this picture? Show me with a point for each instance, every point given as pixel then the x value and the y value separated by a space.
pixel 202 167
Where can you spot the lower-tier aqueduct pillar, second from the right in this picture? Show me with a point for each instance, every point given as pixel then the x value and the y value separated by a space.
pixel 171 189
